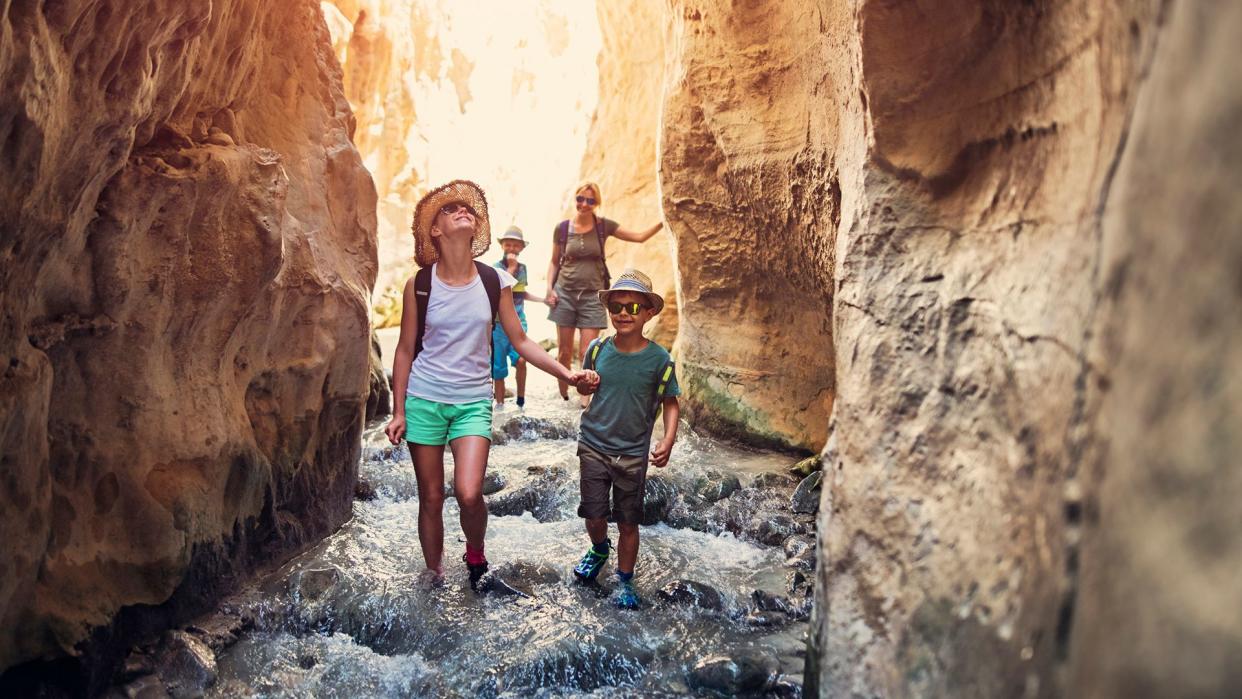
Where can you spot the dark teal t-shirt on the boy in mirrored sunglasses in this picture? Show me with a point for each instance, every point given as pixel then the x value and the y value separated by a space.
pixel 620 417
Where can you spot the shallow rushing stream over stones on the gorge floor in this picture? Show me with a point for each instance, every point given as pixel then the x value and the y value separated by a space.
pixel 725 577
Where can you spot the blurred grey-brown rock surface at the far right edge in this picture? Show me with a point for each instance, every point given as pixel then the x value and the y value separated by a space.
pixel 1158 608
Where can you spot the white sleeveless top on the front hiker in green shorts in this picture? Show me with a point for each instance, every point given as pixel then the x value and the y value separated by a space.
pixel 455 366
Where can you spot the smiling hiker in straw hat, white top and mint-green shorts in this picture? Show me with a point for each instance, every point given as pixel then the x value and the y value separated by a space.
pixel 444 359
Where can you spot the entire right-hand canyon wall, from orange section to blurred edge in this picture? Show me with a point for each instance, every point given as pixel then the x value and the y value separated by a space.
pixel 958 230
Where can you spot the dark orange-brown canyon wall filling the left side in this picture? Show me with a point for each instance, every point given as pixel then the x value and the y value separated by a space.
pixel 187 255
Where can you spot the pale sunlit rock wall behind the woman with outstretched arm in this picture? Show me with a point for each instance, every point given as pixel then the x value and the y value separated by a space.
pixel 622 146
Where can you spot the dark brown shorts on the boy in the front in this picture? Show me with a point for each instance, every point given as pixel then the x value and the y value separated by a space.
pixel 623 475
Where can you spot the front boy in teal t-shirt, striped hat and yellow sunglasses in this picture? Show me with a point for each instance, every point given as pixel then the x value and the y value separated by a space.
pixel 637 381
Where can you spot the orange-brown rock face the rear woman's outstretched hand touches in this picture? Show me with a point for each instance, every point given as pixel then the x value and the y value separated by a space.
pixel 752 193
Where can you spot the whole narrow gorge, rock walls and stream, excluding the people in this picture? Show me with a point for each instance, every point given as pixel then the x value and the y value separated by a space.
pixel 979 261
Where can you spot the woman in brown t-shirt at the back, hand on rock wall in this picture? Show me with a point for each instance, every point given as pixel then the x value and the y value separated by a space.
pixel 578 271
